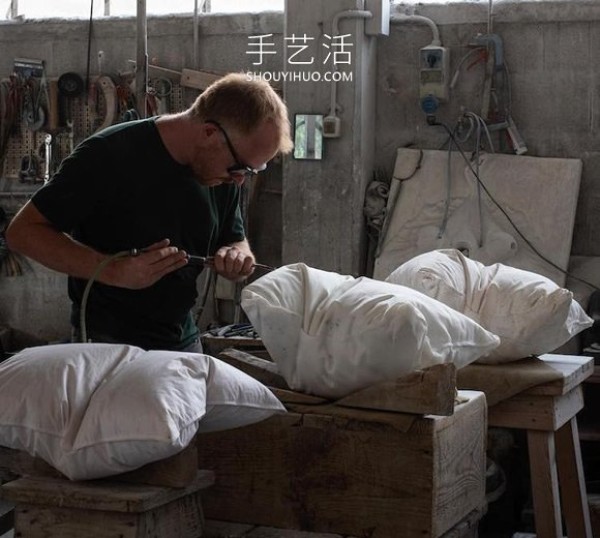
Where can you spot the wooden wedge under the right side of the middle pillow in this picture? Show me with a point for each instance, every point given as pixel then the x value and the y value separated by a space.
pixel 429 391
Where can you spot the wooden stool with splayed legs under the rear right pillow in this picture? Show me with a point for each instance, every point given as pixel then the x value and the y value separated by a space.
pixel 548 413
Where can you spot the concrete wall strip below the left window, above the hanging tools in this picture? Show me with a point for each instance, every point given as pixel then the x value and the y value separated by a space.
pixel 63 44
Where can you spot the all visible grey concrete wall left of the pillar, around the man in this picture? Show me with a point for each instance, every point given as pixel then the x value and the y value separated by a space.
pixel 36 301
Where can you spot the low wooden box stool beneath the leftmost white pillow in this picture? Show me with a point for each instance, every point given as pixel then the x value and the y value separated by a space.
pixel 59 508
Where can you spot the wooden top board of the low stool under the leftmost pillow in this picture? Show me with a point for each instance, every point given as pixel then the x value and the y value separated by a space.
pixel 98 494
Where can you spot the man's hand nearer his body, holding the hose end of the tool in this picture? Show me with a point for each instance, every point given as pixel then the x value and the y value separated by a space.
pixel 143 270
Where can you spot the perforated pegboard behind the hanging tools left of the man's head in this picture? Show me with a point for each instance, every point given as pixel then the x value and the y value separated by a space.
pixel 87 114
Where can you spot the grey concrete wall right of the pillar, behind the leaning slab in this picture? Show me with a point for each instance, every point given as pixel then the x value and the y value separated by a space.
pixel 551 52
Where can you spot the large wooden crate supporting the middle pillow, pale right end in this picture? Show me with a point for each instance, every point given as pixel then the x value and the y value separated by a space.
pixel 357 472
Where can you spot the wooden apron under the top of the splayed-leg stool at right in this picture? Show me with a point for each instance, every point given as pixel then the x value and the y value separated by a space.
pixel 535 412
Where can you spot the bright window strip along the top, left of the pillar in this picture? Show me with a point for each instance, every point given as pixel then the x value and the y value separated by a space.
pixel 36 9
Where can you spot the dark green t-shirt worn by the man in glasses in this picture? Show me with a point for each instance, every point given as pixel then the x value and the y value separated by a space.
pixel 120 189
